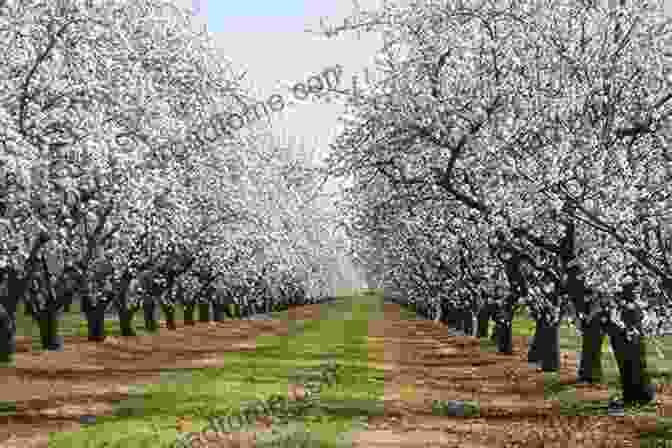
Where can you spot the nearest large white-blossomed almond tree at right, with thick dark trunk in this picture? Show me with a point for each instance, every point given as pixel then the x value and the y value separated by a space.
pixel 515 111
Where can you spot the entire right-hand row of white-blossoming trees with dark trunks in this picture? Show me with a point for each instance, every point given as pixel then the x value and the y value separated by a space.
pixel 517 153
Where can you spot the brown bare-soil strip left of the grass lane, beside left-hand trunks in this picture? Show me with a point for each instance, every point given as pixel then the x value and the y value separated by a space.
pixel 53 389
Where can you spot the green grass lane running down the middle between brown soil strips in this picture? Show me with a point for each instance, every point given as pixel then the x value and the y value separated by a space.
pixel 148 418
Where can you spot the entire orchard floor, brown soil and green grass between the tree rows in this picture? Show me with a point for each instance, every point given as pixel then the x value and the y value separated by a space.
pixel 398 380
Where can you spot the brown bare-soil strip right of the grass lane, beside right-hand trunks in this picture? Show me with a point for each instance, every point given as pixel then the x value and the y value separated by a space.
pixel 423 364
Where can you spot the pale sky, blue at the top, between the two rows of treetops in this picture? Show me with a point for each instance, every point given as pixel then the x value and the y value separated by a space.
pixel 267 39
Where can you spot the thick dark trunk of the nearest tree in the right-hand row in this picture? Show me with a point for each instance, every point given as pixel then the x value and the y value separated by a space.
pixel 631 359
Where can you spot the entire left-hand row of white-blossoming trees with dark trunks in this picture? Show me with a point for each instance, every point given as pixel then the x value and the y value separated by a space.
pixel 113 190
